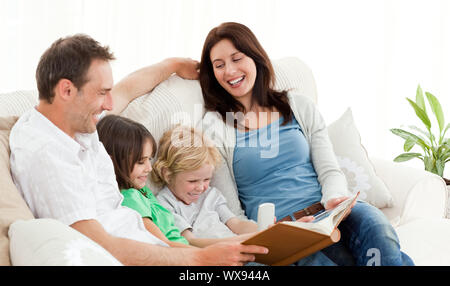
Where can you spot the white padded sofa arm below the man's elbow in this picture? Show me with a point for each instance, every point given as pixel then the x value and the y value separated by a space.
pixel 48 242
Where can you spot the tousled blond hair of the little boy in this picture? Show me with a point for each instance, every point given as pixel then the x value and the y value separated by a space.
pixel 182 149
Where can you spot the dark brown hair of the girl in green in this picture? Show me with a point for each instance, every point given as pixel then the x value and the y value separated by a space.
pixel 123 139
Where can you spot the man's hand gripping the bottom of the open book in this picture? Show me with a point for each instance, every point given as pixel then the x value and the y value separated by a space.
pixel 229 253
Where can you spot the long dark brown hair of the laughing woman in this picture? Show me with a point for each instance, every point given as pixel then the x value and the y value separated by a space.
pixel 216 97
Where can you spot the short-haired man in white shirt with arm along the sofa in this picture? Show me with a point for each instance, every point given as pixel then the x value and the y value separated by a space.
pixel 64 172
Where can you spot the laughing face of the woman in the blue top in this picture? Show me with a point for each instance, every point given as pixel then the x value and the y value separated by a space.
pixel 234 71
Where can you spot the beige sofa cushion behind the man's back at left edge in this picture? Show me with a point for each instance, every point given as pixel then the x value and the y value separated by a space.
pixel 12 206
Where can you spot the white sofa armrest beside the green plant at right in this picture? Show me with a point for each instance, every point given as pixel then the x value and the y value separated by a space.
pixel 416 193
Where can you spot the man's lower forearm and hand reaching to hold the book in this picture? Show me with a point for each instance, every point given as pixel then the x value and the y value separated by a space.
pixel 131 252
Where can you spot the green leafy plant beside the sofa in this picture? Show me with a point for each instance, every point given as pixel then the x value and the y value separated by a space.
pixel 435 147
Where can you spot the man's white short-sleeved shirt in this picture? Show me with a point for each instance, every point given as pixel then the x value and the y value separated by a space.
pixel 70 179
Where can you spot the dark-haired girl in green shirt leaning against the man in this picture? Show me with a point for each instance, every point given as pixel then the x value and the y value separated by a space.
pixel 131 146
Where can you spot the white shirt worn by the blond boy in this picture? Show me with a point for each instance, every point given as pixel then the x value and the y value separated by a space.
pixel 206 218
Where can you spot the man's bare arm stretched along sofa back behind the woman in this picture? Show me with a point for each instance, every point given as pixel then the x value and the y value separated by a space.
pixel 144 80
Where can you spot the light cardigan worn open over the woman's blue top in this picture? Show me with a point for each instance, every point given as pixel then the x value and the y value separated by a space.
pixel 329 174
